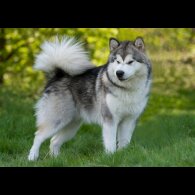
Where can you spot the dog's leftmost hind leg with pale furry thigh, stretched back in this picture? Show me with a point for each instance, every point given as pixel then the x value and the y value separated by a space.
pixel 54 112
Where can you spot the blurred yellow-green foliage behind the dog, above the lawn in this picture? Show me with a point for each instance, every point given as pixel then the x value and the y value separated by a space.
pixel 171 51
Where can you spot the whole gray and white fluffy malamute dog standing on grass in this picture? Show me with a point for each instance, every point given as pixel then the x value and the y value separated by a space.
pixel 112 95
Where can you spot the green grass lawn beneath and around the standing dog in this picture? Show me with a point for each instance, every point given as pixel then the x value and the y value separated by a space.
pixel 164 136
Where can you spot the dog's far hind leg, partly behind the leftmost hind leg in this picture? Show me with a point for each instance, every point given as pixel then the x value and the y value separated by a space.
pixel 63 136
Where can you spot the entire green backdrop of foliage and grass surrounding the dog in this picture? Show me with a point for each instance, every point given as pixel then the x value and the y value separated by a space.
pixel 165 131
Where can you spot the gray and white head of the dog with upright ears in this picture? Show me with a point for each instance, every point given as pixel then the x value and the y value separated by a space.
pixel 128 60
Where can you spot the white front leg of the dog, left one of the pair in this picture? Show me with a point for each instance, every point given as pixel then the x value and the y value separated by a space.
pixel 109 136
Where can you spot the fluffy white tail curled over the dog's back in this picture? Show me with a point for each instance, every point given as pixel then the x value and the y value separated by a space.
pixel 66 54
